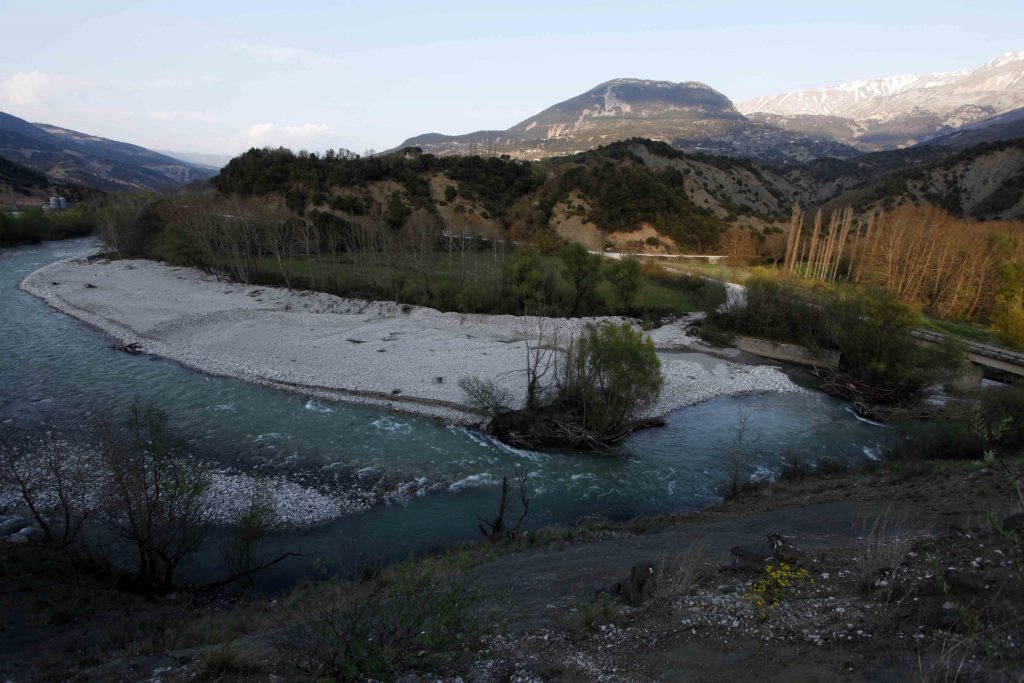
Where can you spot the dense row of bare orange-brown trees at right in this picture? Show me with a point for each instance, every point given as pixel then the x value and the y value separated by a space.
pixel 953 268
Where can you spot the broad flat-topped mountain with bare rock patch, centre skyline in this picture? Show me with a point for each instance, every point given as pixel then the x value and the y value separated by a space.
pixel 690 116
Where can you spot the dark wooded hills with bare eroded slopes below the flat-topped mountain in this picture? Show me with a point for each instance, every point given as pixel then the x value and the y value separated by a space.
pixel 684 201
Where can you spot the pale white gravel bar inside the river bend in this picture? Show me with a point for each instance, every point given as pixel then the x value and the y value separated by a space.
pixel 397 357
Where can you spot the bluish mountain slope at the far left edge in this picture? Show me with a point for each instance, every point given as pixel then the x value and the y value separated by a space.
pixel 68 156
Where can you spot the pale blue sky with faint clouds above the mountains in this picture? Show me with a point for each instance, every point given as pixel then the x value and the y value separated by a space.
pixel 220 76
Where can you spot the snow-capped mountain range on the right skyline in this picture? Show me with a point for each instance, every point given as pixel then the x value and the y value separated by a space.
pixel 894 112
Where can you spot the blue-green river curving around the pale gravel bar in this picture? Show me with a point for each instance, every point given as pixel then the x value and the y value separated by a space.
pixel 57 369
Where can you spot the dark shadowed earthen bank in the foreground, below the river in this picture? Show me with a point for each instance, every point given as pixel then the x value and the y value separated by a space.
pixel 899 562
